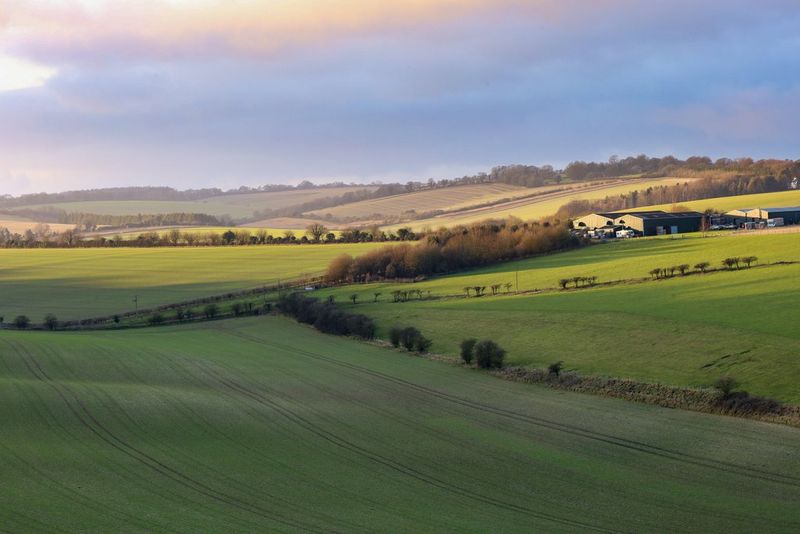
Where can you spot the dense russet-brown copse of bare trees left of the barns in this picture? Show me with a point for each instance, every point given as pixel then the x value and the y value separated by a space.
pixel 453 249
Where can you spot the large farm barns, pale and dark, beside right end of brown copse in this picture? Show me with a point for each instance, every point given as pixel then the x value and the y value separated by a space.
pixel 645 222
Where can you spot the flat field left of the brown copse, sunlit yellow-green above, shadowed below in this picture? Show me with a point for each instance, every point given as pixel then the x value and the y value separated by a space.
pixel 77 283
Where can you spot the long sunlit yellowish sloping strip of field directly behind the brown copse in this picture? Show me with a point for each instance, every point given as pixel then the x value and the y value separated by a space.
pixel 541 206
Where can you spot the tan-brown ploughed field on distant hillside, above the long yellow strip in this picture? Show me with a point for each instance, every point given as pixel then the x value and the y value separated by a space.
pixel 429 200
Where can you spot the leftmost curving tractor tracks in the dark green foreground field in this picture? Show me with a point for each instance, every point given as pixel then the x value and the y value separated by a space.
pixel 88 420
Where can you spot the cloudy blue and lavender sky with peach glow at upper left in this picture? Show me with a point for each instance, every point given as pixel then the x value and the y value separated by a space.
pixel 207 93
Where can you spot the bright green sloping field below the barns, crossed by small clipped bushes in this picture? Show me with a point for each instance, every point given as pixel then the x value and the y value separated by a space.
pixel 686 331
